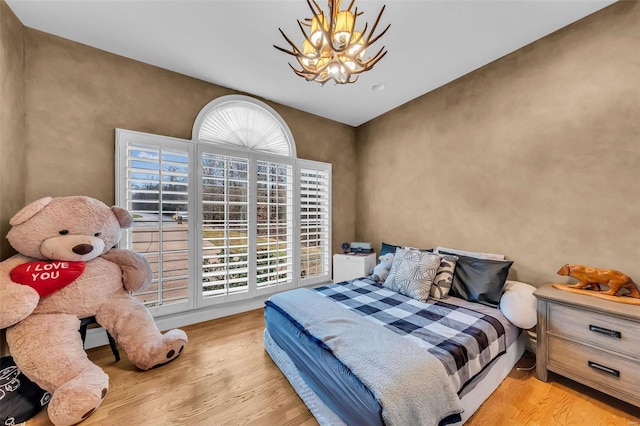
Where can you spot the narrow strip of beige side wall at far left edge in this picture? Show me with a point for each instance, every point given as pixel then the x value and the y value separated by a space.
pixel 12 146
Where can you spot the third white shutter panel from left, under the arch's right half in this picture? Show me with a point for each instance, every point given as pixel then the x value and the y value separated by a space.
pixel 274 224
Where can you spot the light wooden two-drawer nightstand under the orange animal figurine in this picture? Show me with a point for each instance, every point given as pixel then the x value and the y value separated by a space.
pixel 589 340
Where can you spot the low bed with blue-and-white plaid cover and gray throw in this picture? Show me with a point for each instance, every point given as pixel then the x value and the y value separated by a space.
pixel 361 352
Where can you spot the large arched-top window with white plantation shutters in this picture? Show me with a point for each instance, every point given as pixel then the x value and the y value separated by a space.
pixel 228 215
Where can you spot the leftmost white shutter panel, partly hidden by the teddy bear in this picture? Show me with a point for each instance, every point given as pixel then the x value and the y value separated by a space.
pixel 156 192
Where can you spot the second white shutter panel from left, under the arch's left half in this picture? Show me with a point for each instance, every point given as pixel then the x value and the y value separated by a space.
pixel 225 225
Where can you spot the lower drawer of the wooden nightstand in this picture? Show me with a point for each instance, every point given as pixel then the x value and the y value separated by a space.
pixel 595 368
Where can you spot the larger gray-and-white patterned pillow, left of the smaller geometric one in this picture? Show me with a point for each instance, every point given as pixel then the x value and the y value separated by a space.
pixel 412 273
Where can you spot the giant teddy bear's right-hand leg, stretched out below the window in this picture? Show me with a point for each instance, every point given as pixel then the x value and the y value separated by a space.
pixel 133 327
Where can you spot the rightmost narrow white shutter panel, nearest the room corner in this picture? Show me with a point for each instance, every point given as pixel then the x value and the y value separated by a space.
pixel 315 220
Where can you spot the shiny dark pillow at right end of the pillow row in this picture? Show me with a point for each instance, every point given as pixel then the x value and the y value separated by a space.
pixel 480 280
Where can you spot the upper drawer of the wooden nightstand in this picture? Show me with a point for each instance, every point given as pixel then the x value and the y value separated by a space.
pixel 599 329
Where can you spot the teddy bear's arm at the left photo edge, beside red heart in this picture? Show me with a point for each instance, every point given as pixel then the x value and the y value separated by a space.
pixel 18 301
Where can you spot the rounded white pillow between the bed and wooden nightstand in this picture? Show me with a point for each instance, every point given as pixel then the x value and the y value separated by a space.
pixel 518 304
